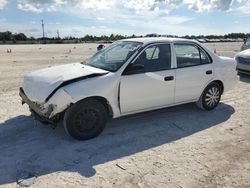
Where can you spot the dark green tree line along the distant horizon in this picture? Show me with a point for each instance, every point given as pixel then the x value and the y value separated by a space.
pixel 9 36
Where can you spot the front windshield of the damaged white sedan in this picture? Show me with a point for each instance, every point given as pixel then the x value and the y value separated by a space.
pixel 113 57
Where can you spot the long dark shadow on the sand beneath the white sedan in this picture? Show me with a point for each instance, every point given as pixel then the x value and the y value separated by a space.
pixel 29 147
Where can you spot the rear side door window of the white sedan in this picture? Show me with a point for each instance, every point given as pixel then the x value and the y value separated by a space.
pixel 190 55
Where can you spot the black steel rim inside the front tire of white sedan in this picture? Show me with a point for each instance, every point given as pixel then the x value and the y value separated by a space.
pixel 86 120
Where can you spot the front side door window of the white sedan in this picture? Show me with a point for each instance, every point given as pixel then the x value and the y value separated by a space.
pixel 155 58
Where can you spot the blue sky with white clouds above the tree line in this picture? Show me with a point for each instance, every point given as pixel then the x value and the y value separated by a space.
pixel 103 17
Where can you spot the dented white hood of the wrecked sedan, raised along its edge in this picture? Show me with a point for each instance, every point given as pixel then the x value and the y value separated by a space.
pixel 40 84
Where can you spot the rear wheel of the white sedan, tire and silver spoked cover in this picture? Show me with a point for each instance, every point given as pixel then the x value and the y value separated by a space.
pixel 210 97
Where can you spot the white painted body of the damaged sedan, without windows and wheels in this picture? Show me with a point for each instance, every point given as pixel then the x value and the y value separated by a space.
pixel 128 94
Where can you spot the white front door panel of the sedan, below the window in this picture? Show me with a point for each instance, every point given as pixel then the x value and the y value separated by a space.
pixel 155 91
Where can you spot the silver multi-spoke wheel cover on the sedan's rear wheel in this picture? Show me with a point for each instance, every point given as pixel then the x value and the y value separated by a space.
pixel 212 97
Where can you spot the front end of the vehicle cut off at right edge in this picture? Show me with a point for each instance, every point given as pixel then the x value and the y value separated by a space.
pixel 243 61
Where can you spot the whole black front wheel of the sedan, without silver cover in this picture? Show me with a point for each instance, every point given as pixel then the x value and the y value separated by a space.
pixel 85 119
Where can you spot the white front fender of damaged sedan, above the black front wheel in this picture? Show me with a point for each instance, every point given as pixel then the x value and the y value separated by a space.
pixel 105 87
